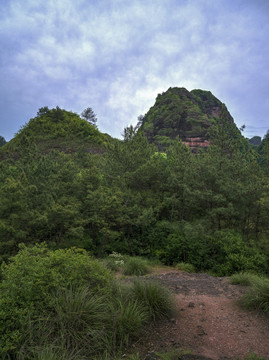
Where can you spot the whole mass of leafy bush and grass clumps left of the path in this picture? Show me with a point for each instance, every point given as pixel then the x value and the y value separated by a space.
pixel 63 304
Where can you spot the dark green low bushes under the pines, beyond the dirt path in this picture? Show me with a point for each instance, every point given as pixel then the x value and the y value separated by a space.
pixel 224 253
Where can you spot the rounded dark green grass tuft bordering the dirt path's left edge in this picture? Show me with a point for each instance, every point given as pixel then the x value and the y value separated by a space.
pixel 155 298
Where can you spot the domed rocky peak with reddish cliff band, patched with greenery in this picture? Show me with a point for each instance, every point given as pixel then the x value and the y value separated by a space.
pixel 185 115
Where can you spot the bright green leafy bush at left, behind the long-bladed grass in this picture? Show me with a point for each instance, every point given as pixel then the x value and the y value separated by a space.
pixel 31 280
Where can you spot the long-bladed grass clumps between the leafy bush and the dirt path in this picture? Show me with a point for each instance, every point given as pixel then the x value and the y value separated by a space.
pixel 83 325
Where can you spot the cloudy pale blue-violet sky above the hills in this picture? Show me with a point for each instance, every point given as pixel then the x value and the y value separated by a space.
pixel 116 56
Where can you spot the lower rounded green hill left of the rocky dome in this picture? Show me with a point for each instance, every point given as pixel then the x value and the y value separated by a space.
pixel 56 129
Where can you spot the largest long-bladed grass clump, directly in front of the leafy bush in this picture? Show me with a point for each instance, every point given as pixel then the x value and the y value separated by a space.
pixel 74 327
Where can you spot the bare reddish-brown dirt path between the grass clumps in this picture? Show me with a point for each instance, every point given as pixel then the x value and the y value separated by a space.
pixel 209 321
